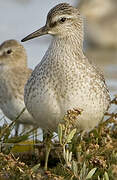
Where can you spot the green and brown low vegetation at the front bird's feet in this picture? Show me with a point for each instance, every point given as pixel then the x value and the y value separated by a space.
pixel 77 156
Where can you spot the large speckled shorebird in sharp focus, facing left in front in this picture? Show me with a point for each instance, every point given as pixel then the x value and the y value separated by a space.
pixel 65 79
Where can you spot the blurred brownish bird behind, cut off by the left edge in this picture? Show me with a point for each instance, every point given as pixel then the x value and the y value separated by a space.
pixel 13 76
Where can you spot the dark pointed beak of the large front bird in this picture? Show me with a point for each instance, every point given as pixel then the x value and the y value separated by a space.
pixel 40 32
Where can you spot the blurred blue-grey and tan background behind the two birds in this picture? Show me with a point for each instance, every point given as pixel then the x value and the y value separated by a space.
pixel 19 18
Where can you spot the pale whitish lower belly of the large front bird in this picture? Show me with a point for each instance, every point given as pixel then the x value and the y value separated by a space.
pixel 49 109
